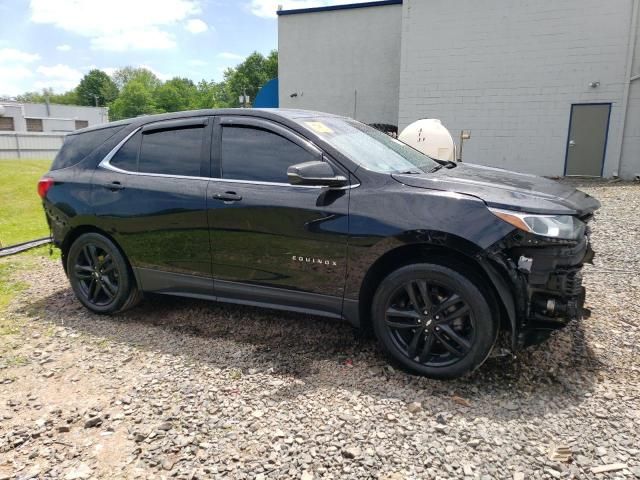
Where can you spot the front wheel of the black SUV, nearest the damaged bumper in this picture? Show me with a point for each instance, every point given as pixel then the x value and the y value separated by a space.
pixel 434 321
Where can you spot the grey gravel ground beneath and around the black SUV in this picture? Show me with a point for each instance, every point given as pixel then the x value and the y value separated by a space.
pixel 186 389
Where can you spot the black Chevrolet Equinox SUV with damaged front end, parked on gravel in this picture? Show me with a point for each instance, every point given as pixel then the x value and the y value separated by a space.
pixel 319 214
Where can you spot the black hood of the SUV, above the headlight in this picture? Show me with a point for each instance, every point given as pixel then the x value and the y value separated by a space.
pixel 505 189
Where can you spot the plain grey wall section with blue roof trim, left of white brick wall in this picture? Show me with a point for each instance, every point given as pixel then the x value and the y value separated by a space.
pixel 326 57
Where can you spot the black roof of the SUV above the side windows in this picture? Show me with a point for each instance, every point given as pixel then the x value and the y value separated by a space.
pixel 269 113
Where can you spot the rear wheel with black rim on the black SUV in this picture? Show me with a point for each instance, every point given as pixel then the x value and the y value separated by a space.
pixel 100 275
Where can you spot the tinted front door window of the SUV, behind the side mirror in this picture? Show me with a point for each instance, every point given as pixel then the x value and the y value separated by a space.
pixel 259 155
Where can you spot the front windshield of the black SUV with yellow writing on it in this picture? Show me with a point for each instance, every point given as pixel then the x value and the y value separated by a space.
pixel 368 147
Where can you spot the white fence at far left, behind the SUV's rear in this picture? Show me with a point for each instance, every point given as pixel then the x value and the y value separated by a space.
pixel 17 145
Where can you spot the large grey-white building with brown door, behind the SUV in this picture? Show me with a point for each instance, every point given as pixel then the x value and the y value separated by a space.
pixel 545 87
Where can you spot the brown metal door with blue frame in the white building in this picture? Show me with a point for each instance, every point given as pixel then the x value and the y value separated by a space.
pixel 587 140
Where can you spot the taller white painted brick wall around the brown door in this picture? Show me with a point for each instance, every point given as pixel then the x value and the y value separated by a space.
pixel 509 71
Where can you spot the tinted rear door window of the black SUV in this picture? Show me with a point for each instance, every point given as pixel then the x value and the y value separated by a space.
pixel 172 152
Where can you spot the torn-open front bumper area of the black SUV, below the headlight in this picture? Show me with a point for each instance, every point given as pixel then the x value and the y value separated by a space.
pixel 546 282
